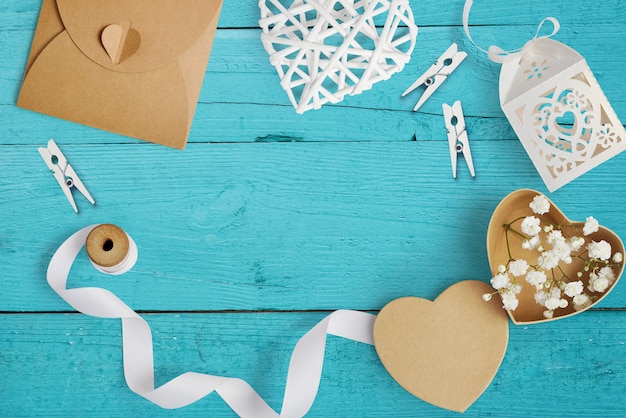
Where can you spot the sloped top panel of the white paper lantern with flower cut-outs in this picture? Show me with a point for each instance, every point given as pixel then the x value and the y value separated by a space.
pixel 540 60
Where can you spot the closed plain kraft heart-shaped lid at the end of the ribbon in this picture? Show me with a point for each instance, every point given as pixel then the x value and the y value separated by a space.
pixel 447 351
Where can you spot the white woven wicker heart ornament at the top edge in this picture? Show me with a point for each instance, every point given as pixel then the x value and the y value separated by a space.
pixel 326 49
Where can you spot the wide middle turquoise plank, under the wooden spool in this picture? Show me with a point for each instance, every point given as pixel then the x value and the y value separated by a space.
pixel 279 225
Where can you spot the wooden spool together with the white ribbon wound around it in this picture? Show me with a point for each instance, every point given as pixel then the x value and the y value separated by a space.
pixel 110 249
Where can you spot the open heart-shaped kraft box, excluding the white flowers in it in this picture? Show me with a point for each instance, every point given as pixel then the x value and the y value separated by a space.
pixel 516 205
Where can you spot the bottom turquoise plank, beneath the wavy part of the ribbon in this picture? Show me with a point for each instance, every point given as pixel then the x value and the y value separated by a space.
pixel 70 365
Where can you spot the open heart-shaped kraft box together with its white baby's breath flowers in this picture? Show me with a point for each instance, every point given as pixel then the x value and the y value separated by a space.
pixel 508 240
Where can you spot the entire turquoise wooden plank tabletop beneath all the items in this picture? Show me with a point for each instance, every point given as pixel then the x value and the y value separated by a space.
pixel 270 220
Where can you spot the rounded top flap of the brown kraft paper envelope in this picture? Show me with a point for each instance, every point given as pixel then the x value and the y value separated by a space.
pixel 163 29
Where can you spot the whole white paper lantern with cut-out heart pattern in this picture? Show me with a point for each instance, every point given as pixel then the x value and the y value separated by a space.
pixel 558 111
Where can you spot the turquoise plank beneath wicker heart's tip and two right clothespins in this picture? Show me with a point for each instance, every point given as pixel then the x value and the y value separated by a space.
pixel 258 109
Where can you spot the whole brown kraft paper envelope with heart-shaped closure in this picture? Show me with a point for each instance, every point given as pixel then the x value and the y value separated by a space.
pixel 131 67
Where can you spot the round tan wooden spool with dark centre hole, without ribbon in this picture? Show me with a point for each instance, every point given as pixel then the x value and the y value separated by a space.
pixel 107 245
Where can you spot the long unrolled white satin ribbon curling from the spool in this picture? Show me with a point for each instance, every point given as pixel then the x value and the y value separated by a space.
pixel 303 375
